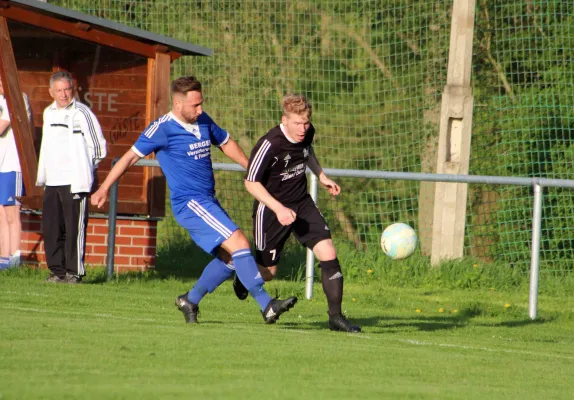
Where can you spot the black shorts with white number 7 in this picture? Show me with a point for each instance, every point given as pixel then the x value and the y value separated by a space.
pixel 270 236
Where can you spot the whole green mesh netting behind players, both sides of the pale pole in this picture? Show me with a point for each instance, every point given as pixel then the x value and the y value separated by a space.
pixel 374 72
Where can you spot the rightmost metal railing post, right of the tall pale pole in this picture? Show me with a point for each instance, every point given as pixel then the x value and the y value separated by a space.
pixel 535 259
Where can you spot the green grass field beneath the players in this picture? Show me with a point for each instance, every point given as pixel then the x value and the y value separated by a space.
pixel 126 339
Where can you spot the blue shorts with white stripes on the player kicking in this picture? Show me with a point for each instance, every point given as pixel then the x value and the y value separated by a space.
pixel 207 223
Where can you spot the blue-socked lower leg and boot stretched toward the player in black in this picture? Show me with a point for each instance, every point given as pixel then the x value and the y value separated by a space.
pixel 249 274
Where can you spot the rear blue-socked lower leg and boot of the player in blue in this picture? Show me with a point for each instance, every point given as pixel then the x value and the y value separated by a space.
pixel 214 274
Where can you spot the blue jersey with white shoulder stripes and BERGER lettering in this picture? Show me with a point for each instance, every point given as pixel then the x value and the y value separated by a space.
pixel 184 153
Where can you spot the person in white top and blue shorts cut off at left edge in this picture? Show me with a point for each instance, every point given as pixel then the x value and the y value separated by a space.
pixel 11 186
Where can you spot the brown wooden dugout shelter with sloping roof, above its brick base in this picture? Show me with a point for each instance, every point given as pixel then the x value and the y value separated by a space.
pixel 121 73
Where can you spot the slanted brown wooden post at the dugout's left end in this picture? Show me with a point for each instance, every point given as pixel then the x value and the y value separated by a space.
pixel 18 116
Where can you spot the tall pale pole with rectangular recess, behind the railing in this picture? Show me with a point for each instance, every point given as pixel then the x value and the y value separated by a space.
pixel 449 216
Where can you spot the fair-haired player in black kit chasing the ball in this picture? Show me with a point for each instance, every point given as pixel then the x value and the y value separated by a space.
pixel 276 178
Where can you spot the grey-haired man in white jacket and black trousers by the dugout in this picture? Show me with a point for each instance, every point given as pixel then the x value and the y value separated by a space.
pixel 72 147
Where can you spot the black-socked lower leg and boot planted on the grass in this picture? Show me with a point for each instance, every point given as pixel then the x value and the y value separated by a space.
pixel 332 280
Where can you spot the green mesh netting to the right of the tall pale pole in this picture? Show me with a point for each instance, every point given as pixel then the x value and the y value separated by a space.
pixel 523 125
